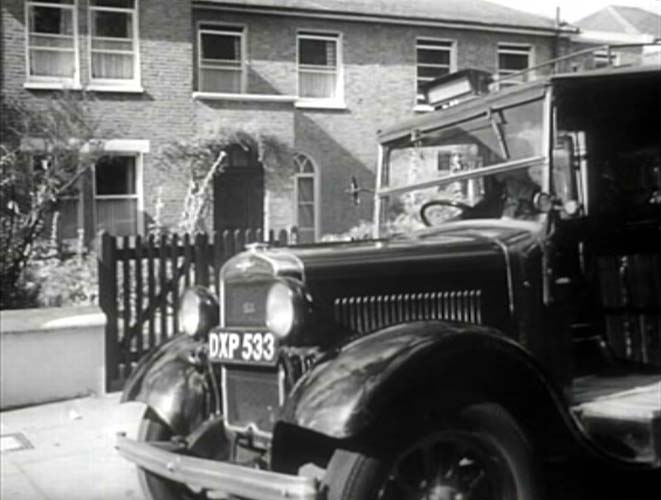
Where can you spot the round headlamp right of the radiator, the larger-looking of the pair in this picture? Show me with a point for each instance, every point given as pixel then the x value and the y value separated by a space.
pixel 284 308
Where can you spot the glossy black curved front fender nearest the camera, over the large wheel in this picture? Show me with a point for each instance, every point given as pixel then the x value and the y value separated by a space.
pixel 342 396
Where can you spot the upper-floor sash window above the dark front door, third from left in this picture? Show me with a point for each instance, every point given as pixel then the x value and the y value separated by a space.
pixel 221 59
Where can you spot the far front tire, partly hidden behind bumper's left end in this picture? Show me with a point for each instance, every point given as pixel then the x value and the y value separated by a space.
pixel 155 487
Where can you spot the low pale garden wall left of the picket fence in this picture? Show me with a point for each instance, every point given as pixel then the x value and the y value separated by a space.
pixel 51 353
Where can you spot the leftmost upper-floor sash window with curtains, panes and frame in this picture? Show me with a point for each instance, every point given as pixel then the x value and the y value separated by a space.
pixel 51 33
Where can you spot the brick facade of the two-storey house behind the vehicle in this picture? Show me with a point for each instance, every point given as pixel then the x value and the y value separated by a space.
pixel 321 78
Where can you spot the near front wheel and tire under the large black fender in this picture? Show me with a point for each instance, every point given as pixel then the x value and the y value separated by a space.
pixel 482 452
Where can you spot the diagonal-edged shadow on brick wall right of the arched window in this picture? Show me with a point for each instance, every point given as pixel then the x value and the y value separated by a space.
pixel 336 166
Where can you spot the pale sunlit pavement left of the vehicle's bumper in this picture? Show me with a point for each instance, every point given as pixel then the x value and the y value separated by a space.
pixel 72 455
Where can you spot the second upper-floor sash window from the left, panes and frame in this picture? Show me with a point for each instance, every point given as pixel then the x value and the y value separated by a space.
pixel 113 42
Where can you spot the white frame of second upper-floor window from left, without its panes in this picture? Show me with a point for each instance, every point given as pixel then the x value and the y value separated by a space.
pixel 116 84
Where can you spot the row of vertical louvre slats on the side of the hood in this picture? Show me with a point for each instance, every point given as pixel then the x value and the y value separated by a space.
pixel 367 313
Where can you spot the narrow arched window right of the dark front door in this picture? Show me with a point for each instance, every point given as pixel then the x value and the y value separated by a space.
pixel 306 199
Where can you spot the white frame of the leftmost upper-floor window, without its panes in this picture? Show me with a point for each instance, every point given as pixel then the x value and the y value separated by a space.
pixel 40 81
